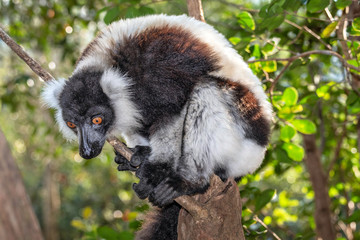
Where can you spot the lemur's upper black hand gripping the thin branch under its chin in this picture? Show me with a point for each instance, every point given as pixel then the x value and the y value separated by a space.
pixel 140 154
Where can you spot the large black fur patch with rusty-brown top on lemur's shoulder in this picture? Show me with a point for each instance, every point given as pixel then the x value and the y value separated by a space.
pixel 164 64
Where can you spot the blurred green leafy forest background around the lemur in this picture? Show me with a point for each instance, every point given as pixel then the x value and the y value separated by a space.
pixel 90 199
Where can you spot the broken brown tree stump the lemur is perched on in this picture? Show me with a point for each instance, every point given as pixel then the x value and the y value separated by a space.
pixel 219 216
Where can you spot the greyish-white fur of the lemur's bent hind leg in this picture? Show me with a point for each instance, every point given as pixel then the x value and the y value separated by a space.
pixel 215 139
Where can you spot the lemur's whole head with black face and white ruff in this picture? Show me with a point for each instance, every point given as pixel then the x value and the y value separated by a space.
pixel 91 105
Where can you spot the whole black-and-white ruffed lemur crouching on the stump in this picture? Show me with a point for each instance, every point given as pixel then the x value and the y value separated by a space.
pixel 179 94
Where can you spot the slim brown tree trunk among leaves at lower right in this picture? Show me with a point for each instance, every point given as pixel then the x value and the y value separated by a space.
pixel 324 225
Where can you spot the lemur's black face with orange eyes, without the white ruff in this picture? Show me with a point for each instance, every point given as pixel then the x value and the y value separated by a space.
pixel 87 111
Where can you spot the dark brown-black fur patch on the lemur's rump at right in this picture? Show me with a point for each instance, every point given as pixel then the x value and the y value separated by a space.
pixel 257 126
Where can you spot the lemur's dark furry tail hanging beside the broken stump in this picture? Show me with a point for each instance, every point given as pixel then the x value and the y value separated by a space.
pixel 160 224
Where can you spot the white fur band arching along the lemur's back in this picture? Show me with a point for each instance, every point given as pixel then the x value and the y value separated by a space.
pixel 232 65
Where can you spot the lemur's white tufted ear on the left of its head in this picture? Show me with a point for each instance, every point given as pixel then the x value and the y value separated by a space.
pixel 51 93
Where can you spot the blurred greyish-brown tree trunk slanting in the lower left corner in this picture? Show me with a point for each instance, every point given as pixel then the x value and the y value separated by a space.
pixel 17 218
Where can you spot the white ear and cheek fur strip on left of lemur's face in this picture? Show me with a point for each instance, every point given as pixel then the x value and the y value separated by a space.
pixel 50 96
